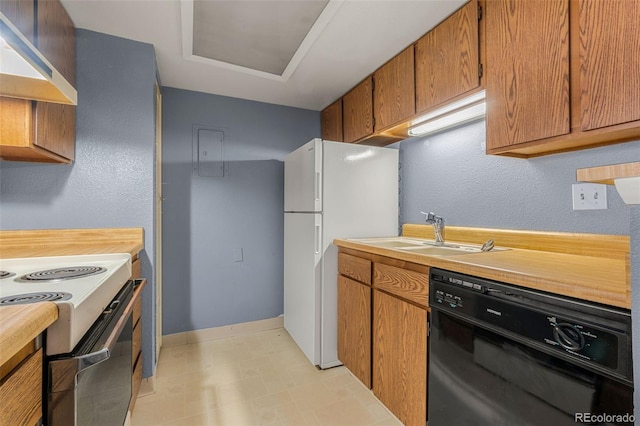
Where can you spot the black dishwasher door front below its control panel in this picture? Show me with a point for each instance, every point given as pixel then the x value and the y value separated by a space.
pixel 478 377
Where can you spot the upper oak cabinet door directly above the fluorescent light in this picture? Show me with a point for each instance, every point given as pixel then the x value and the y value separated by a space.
pixel 447 59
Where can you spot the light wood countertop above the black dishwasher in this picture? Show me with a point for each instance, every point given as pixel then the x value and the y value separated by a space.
pixel 598 279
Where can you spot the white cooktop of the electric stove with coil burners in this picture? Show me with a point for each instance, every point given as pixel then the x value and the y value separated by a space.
pixel 81 286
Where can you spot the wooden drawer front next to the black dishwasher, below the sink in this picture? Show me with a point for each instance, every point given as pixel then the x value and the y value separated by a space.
pixel 410 285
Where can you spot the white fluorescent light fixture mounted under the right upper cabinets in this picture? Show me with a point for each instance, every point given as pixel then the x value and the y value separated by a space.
pixel 455 114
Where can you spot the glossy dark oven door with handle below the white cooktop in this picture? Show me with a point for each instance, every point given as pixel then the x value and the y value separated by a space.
pixel 92 385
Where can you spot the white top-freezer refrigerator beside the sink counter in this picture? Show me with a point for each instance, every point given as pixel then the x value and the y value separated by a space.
pixel 331 190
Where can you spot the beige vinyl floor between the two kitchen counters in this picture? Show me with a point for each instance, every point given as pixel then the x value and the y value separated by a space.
pixel 255 379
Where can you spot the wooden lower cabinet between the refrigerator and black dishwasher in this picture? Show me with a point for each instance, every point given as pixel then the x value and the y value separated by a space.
pixel 382 329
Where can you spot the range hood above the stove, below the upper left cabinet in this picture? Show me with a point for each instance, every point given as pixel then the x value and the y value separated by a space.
pixel 26 74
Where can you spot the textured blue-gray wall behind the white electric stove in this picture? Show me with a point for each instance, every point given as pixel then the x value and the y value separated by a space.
pixel 110 184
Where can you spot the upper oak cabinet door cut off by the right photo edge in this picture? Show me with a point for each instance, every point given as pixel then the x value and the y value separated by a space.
pixel 609 62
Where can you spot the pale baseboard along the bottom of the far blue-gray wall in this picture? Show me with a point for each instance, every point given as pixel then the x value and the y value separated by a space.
pixel 232 330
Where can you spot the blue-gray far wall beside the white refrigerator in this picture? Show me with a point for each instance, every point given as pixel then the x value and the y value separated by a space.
pixel 207 221
